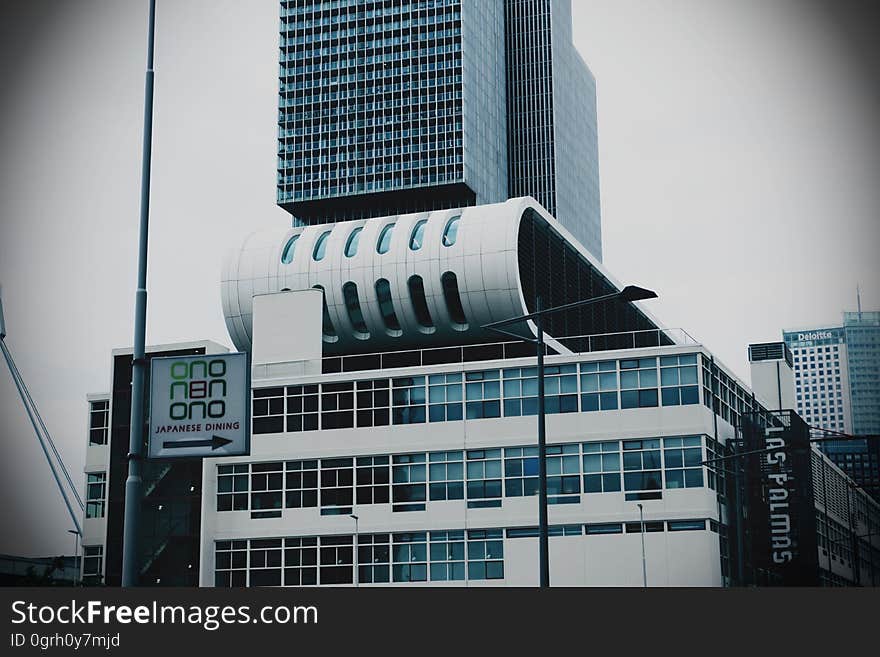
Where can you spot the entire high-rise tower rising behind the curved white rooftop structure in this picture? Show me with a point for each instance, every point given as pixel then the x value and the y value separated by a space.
pixel 388 108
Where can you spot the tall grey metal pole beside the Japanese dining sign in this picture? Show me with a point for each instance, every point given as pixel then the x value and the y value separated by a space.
pixel 133 485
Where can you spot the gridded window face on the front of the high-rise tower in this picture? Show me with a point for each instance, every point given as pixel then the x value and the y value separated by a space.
pixel 370 97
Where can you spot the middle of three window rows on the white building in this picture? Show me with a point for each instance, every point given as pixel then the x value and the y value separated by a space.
pixel 639 468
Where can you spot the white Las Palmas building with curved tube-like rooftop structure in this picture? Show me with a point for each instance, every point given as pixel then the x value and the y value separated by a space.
pixel 394 439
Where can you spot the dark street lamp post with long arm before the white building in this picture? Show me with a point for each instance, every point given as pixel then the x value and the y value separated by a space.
pixel 629 293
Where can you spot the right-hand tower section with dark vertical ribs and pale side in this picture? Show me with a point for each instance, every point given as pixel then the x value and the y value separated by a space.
pixel 553 148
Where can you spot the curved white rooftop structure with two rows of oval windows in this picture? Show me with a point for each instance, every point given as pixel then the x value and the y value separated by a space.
pixel 414 280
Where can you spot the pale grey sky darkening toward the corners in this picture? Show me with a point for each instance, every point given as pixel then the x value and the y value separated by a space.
pixel 739 163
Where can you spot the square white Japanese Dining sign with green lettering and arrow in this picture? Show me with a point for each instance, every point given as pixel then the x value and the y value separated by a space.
pixel 200 406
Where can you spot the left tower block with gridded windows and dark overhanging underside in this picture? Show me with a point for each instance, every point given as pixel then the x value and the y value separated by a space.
pixel 386 108
